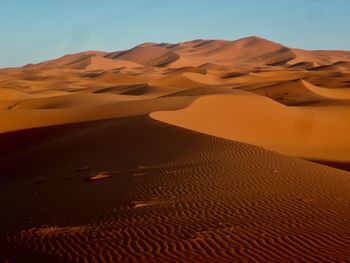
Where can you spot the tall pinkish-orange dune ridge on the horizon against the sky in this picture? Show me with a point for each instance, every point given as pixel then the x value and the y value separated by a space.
pixel 250 50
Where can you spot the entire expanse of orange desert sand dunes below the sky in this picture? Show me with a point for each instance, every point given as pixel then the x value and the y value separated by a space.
pixel 177 152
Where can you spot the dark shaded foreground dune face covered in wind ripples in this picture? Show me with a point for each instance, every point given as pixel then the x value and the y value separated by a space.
pixel 160 193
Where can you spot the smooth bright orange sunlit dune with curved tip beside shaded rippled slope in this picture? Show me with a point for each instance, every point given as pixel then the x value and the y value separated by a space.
pixel 318 133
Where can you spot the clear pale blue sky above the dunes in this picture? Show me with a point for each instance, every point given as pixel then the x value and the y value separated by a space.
pixel 35 30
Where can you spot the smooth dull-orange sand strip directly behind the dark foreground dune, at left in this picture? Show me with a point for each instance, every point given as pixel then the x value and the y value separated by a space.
pixel 79 108
